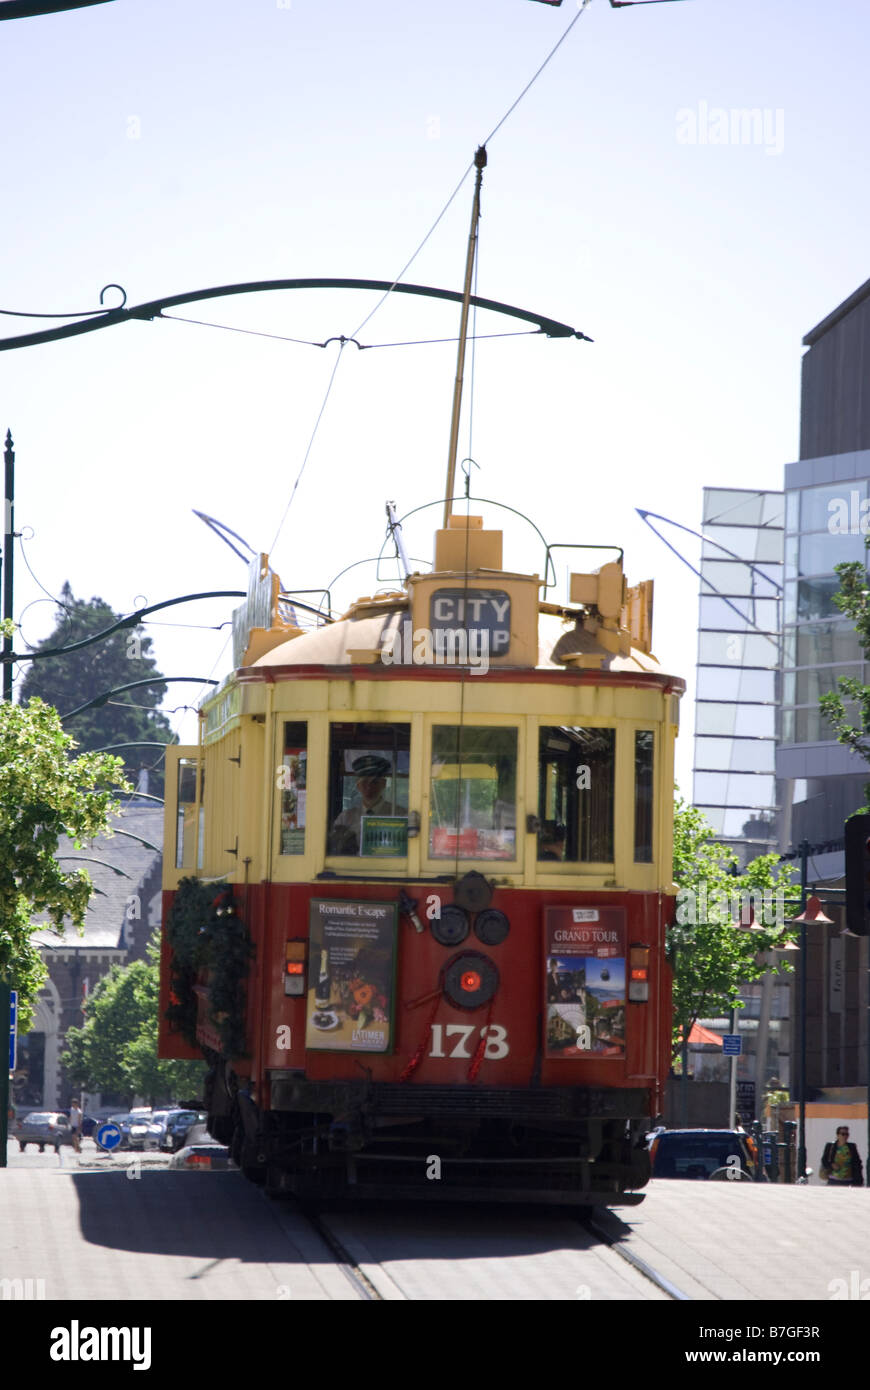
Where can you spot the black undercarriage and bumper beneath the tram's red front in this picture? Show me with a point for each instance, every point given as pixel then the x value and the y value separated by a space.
pixel 344 1139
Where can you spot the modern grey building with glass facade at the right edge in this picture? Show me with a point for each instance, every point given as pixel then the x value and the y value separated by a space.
pixel 769 772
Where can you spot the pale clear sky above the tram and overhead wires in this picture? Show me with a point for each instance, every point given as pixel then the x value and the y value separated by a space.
pixel 173 145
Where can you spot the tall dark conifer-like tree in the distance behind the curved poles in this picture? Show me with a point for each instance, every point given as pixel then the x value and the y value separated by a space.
pixel 69 682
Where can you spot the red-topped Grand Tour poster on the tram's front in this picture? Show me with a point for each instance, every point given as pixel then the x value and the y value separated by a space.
pixel 586 982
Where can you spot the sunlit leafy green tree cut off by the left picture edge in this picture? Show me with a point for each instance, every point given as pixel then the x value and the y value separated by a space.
pixel 45 794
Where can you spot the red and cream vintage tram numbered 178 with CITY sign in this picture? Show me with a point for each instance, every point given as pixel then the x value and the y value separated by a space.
pixel 418 883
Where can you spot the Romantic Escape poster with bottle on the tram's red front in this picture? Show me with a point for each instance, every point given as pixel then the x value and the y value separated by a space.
pixel 352 967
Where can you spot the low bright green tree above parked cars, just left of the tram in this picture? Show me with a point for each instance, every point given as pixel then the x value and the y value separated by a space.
pixel 117 1047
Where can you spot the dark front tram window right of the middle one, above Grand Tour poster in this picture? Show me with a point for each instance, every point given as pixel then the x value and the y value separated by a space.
pixel 576 794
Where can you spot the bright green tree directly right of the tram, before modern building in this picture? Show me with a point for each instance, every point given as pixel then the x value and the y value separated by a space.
pixel 712 957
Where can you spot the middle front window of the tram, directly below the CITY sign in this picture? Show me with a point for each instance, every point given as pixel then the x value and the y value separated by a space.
pixel 475 793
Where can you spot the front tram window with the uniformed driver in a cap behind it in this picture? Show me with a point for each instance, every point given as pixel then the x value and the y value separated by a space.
pixel 369 771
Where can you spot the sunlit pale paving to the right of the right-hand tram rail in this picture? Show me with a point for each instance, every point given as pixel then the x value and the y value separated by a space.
pixel 751 1242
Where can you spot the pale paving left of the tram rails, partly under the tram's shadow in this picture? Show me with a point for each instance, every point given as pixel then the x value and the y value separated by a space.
pixel 159 1236
